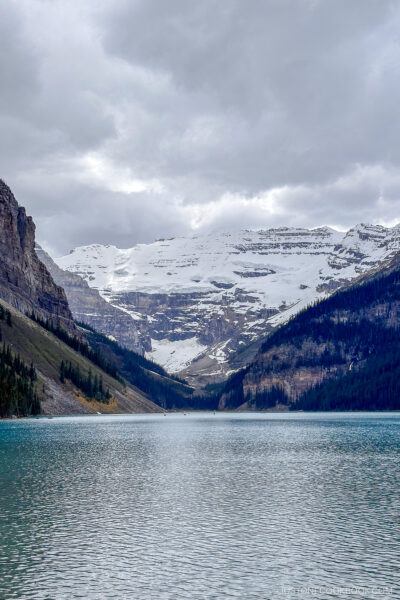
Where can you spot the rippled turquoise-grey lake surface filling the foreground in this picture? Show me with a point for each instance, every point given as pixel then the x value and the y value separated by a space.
pixel 200 506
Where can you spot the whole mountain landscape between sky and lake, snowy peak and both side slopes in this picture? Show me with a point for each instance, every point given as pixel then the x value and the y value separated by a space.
pixel 256 320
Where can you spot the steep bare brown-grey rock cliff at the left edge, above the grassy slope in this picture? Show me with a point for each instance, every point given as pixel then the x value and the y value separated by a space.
pixel 25 283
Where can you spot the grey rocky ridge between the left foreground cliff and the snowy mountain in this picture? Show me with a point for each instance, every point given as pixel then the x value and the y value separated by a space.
pixel 89 307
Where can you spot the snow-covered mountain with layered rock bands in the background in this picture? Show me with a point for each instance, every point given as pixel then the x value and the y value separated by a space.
pixel 201 299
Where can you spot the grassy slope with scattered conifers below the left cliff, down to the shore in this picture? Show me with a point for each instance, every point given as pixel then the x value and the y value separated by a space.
pixel 45 369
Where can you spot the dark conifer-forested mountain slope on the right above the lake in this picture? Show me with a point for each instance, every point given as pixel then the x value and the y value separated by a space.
pixel 340 353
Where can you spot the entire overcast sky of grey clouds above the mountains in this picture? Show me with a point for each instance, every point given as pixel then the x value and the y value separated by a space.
pixel 122 121
